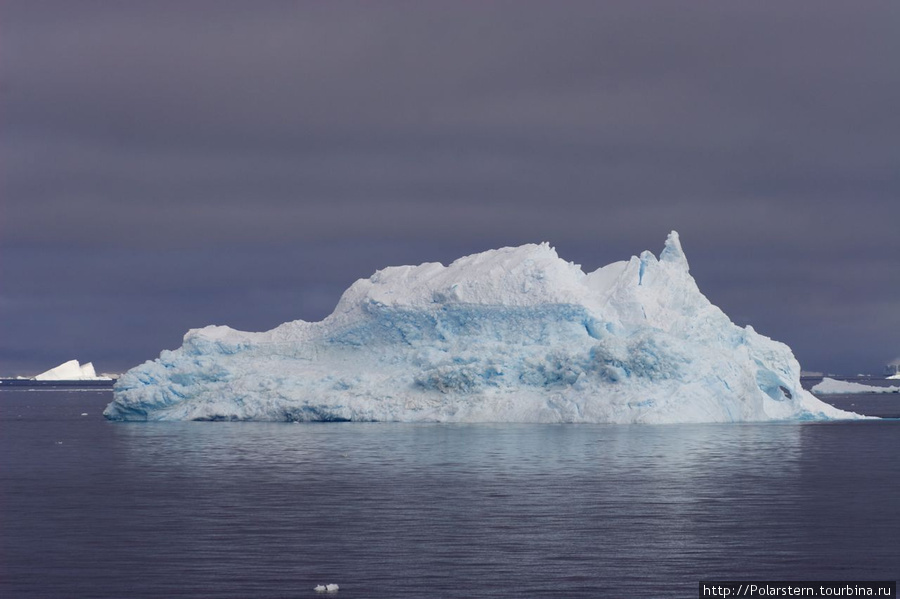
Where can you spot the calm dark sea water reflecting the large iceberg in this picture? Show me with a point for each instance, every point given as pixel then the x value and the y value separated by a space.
pixel 95 509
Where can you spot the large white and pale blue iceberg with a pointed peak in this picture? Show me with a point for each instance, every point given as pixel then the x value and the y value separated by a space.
pixel 509 335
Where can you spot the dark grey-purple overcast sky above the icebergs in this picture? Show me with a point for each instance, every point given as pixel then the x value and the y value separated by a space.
pixel 168 165
